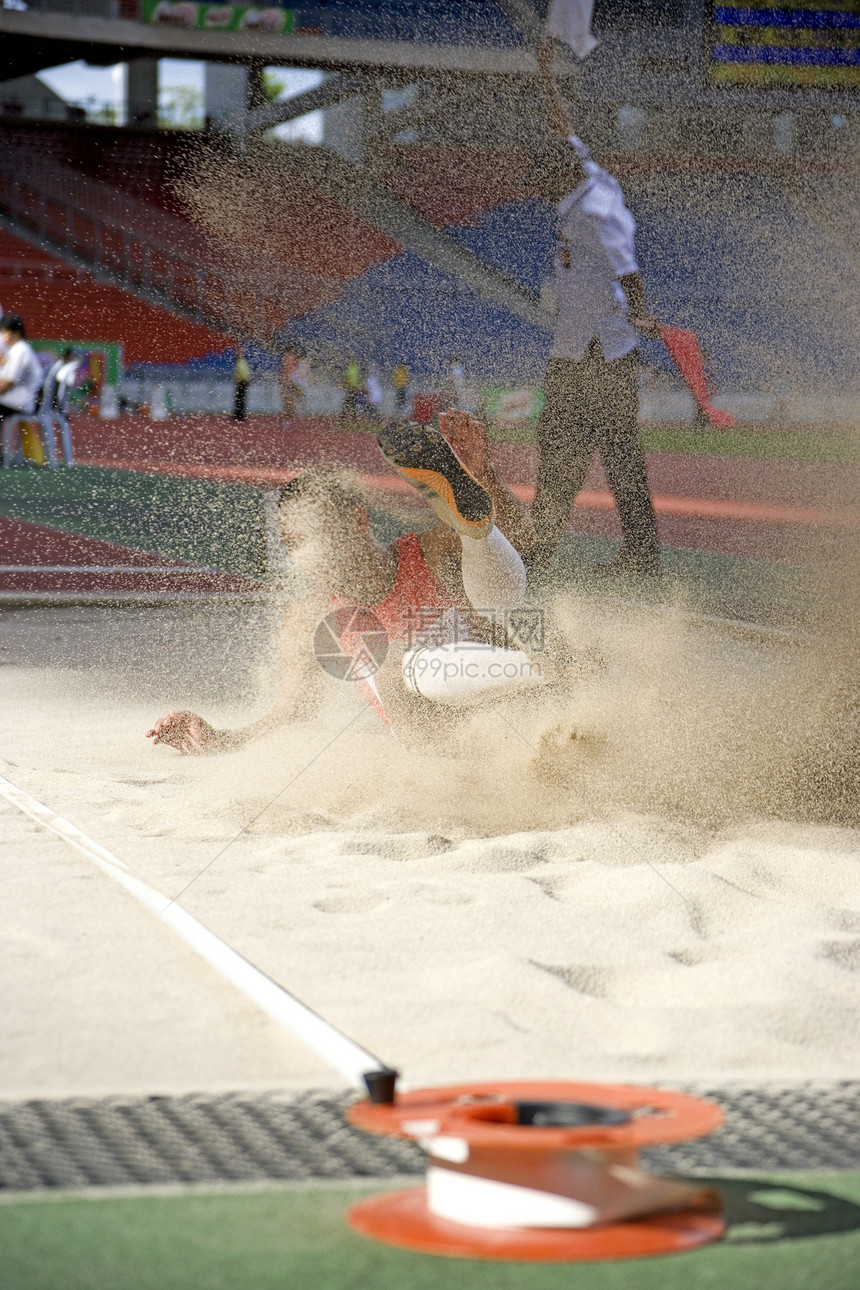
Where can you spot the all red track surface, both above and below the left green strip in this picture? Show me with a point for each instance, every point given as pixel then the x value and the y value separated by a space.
pixel 778 510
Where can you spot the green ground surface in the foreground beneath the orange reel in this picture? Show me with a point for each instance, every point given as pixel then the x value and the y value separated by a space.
pixel 786 1234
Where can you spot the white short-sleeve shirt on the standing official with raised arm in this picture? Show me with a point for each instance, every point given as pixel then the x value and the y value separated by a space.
pixel 595 248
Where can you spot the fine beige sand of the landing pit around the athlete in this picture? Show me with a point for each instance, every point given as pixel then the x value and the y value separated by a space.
pixel 641 878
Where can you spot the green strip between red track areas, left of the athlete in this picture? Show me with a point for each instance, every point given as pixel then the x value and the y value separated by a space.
pixel 219 526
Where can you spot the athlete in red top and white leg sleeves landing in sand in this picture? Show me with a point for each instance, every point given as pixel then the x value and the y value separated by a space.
pixel 460 575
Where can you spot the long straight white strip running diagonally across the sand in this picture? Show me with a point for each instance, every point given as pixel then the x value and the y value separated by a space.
pixel 336 1049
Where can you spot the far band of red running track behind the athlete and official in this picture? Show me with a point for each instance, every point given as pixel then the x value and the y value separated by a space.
pixel 761 508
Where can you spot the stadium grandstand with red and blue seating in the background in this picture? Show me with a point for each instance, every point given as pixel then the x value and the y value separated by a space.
pixel 407 233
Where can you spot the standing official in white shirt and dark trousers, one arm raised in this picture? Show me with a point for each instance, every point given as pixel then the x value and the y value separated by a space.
pixel 590 389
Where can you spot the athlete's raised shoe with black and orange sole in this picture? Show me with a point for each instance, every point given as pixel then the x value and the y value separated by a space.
pixel 425 459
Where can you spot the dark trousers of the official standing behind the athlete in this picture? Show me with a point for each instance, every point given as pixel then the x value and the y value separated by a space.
pixel 592 406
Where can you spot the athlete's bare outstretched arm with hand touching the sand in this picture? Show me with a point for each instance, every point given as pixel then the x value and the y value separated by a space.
pixel 300 693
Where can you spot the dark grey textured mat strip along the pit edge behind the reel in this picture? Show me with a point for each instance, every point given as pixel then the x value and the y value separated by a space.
pixel 204 1138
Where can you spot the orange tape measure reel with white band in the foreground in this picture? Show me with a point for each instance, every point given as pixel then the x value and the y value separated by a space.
pixel 541 1172
